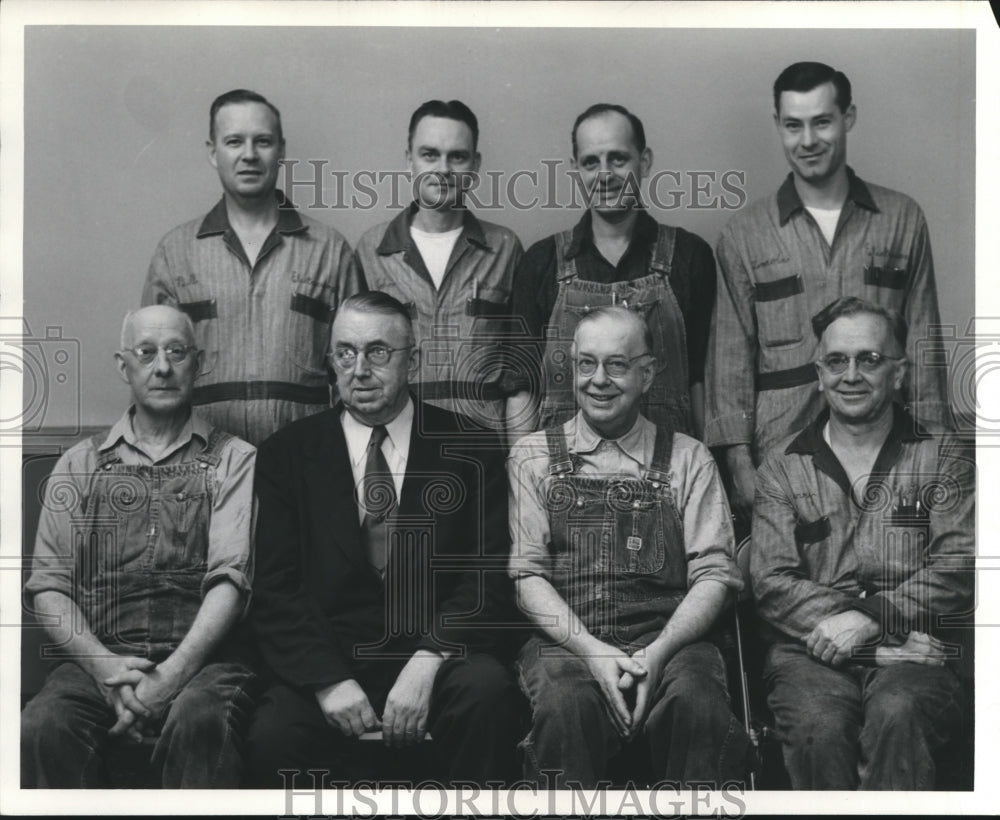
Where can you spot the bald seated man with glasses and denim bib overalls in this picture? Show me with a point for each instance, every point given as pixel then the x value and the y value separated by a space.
pixel 141 570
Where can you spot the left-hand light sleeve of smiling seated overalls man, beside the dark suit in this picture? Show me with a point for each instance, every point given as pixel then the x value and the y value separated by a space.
pixel 527 470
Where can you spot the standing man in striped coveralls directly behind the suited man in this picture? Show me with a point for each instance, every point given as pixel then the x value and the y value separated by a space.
pixel 451 270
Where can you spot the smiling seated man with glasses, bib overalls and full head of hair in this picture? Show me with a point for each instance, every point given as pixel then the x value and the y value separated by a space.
pixel 622 555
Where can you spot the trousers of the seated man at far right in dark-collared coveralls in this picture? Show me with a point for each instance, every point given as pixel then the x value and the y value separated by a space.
pixel 860 727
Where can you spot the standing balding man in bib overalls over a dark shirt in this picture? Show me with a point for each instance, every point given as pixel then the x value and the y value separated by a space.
pixel 616 254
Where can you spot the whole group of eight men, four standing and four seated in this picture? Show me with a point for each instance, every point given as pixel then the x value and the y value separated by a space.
pixel 370 567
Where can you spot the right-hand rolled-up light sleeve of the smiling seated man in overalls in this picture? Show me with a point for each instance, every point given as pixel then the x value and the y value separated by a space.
pixel 708 527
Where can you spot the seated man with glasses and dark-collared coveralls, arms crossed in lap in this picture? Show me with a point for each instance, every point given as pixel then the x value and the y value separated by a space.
pixel 863 548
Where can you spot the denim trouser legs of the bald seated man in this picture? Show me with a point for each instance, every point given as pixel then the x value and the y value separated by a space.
pixel 64 731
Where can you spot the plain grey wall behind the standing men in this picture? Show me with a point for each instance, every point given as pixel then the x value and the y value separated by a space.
pixel 116 120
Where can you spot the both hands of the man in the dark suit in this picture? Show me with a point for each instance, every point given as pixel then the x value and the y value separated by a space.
pixel 404 720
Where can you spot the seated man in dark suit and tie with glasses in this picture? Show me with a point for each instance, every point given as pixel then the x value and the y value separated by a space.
pixel 381 542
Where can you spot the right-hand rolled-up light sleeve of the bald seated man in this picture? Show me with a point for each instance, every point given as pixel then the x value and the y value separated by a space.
pixel 230 532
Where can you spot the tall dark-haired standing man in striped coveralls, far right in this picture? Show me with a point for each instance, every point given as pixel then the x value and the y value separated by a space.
pixel 823 235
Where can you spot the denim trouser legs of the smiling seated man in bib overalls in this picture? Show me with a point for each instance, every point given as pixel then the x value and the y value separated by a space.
pixel 691 734
